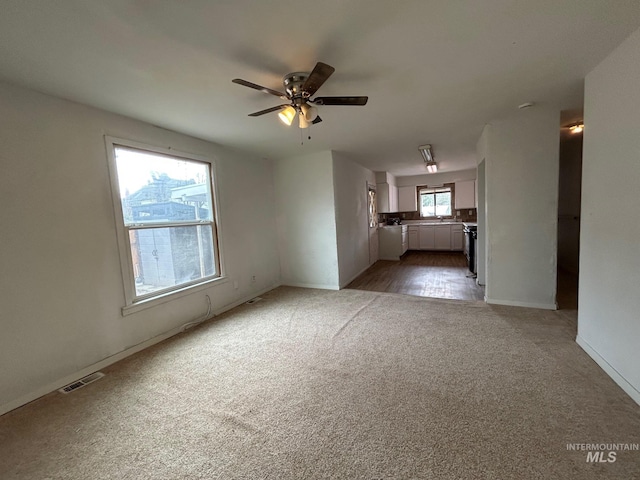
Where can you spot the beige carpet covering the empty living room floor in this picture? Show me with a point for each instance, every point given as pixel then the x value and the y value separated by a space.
pixel 310 384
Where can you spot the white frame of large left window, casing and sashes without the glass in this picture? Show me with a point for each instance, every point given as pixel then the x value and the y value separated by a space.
pixel 133 301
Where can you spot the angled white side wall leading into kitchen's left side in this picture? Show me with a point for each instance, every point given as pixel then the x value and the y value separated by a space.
pixel 352 216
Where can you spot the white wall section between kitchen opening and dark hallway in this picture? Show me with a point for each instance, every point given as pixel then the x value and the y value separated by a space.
pixel 521 167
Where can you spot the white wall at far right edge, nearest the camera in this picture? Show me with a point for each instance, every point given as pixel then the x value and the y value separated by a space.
pixel 609 300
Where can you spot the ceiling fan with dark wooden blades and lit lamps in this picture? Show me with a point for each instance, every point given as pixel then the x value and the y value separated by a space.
pixel 299 88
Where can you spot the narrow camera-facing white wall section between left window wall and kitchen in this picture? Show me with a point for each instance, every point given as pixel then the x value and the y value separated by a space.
pixel 305 206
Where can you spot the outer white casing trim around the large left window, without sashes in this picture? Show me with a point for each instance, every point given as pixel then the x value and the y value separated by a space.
pixel 132 304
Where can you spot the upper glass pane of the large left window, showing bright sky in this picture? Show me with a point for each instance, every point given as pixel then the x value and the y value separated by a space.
pixel 156 188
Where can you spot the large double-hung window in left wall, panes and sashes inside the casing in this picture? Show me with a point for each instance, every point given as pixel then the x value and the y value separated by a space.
pixel 167 222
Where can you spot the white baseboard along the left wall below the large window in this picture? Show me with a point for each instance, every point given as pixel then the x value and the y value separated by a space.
pixel 61 382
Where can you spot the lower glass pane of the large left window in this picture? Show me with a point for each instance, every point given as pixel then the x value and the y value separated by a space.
pixel 170 256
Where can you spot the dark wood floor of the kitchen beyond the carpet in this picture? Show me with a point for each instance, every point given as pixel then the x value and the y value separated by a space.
pixel 423 274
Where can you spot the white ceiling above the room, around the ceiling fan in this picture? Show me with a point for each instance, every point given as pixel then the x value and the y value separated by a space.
pixel 435 71
